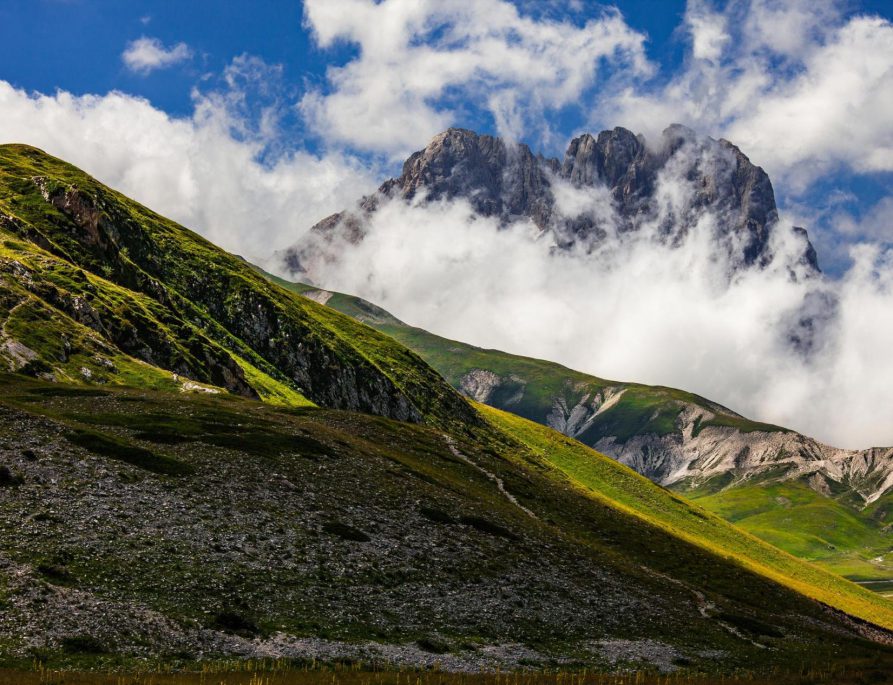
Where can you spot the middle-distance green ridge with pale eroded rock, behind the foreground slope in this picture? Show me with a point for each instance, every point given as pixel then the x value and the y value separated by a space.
pixel 828 505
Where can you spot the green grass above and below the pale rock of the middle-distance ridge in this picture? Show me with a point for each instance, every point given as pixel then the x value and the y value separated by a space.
pixel 833 531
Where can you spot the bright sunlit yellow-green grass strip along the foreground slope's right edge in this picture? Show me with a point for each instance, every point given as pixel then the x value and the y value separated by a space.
pixel 610 482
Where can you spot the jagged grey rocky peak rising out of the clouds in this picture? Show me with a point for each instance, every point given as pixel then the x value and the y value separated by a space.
pixel 665 187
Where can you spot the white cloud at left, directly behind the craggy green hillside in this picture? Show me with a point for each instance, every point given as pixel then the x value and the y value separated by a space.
pixel 203 171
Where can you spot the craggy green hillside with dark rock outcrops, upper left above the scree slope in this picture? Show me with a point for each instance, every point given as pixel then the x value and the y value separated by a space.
pixel 95 287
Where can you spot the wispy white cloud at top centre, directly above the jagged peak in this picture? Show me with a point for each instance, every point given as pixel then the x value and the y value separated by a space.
pixel 420 64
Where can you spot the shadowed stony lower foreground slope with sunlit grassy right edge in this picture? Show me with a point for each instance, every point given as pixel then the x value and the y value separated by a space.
pixel 136 523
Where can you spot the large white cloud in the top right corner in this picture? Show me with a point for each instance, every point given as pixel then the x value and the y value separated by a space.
pixel 797 85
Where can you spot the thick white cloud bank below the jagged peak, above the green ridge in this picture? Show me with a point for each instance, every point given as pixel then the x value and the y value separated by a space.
pixel 637 310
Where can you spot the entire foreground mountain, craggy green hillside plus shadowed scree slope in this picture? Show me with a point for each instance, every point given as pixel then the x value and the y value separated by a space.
pixel 196 463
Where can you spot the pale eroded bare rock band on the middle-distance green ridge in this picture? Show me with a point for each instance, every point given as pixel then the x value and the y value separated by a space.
pixel 695 451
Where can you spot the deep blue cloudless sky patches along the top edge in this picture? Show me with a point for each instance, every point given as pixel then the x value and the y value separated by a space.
pixel 76 45
